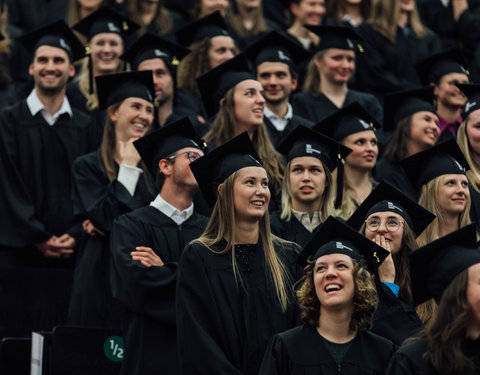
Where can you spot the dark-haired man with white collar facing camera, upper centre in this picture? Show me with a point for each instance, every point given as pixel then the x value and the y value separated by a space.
pixel 275 57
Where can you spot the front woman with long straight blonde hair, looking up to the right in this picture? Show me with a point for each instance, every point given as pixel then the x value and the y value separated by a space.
pixel 234 288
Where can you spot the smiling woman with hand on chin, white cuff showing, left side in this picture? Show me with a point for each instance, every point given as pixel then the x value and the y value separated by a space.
pixel 106 184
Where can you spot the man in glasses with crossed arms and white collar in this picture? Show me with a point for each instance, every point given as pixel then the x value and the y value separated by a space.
pixel 146 245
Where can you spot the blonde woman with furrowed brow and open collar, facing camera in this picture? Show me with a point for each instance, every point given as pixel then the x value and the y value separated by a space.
pixel 308 192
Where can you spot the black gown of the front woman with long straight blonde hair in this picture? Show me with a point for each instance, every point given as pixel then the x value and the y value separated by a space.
pixel 225 319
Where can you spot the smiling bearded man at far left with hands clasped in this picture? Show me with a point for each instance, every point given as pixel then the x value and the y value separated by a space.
pixel 41 136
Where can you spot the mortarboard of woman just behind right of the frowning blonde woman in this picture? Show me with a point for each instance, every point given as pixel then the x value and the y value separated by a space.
pixel 348 120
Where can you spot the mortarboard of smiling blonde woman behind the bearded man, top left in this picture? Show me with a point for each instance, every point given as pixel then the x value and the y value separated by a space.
pixel 106 20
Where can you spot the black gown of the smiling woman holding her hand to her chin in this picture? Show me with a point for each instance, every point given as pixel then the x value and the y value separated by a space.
pixel 100 200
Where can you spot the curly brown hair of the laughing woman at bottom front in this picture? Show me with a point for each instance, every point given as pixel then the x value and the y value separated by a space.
pixel 365 299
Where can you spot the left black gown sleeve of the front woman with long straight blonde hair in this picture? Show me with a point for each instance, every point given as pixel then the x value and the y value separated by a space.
pixel 199 328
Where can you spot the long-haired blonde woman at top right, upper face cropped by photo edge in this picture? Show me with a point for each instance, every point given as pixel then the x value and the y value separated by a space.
pixel 395 39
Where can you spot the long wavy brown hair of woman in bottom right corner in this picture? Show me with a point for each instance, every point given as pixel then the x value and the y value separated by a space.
pixel 447 329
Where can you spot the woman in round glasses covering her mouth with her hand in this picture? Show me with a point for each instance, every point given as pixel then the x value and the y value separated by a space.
pixel 393 221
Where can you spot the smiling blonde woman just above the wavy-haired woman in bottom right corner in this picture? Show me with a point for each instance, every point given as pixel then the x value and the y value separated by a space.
pixel 440 174
